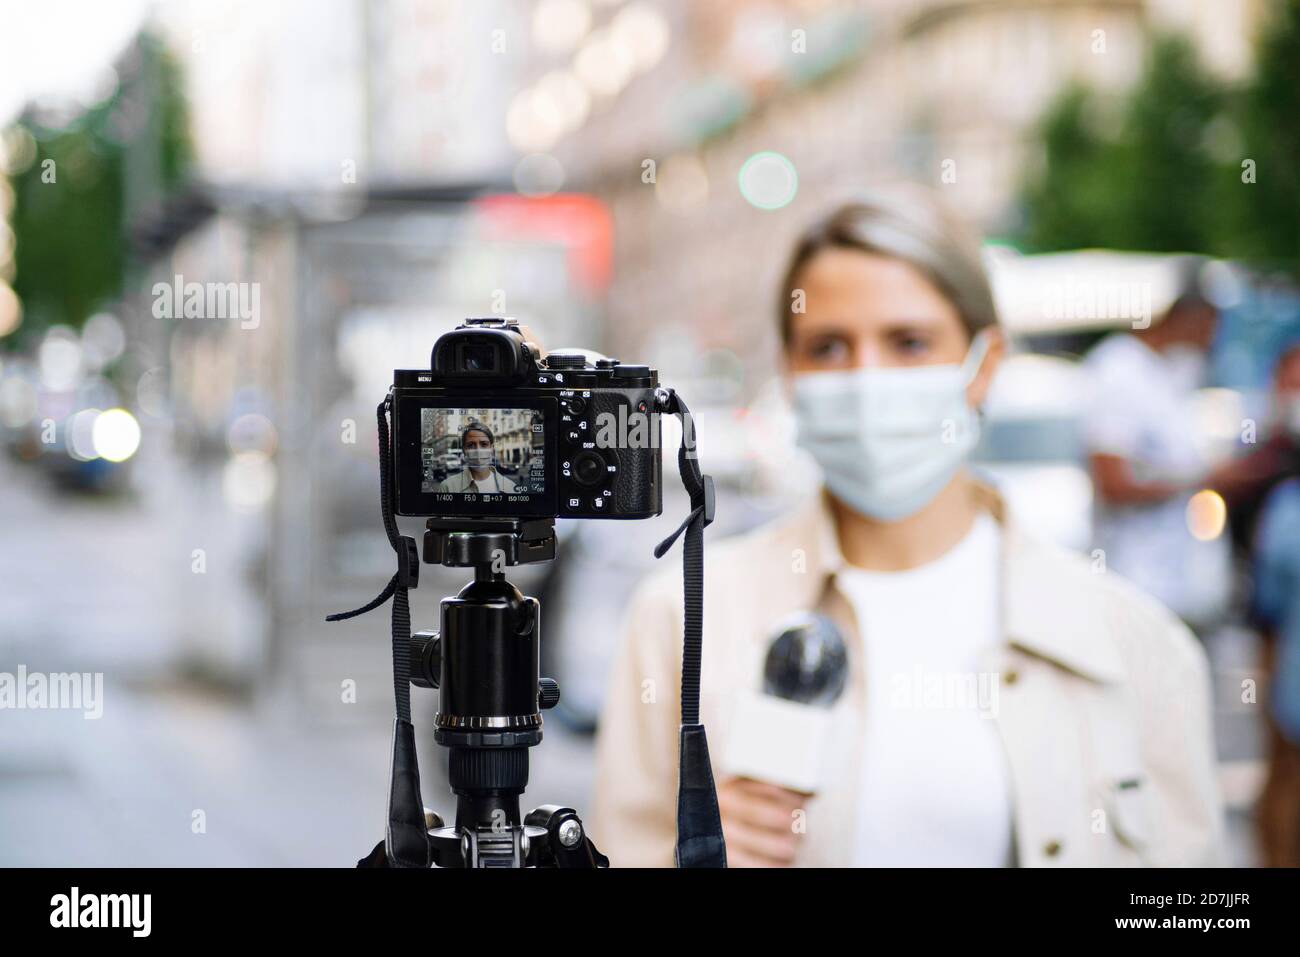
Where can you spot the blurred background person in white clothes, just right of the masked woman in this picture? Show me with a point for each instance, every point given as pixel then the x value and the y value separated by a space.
pixel 1146 464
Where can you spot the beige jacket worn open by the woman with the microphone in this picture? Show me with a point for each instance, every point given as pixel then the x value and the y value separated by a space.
pixel 1103 709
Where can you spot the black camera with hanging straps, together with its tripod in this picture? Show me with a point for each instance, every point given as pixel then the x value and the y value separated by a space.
pixel 492 444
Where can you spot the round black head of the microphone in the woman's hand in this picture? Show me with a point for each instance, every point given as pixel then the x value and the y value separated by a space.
pixel 808 661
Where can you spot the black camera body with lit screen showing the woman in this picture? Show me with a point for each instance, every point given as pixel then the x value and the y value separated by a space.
pixel 492 430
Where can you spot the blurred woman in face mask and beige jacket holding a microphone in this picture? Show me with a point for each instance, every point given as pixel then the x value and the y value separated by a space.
pixel 1094 744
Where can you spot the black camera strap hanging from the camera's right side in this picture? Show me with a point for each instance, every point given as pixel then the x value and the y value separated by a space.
pixel 700 830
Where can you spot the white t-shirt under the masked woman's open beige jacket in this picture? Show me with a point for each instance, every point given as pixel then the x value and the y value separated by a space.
pixel 935 786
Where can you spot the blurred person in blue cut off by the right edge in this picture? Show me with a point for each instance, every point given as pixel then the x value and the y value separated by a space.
pixel 1277 613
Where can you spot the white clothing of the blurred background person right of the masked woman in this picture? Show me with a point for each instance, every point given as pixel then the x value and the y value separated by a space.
pixel 1141 409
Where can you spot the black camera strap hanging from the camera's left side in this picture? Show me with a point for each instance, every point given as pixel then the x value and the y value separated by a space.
pixel 406 843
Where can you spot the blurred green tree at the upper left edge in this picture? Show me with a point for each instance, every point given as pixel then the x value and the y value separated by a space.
pixel 73 203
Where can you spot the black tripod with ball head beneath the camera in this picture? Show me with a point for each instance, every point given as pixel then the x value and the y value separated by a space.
pixel 484 662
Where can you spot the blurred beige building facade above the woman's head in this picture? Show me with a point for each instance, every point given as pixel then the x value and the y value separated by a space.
pixel 855 96
